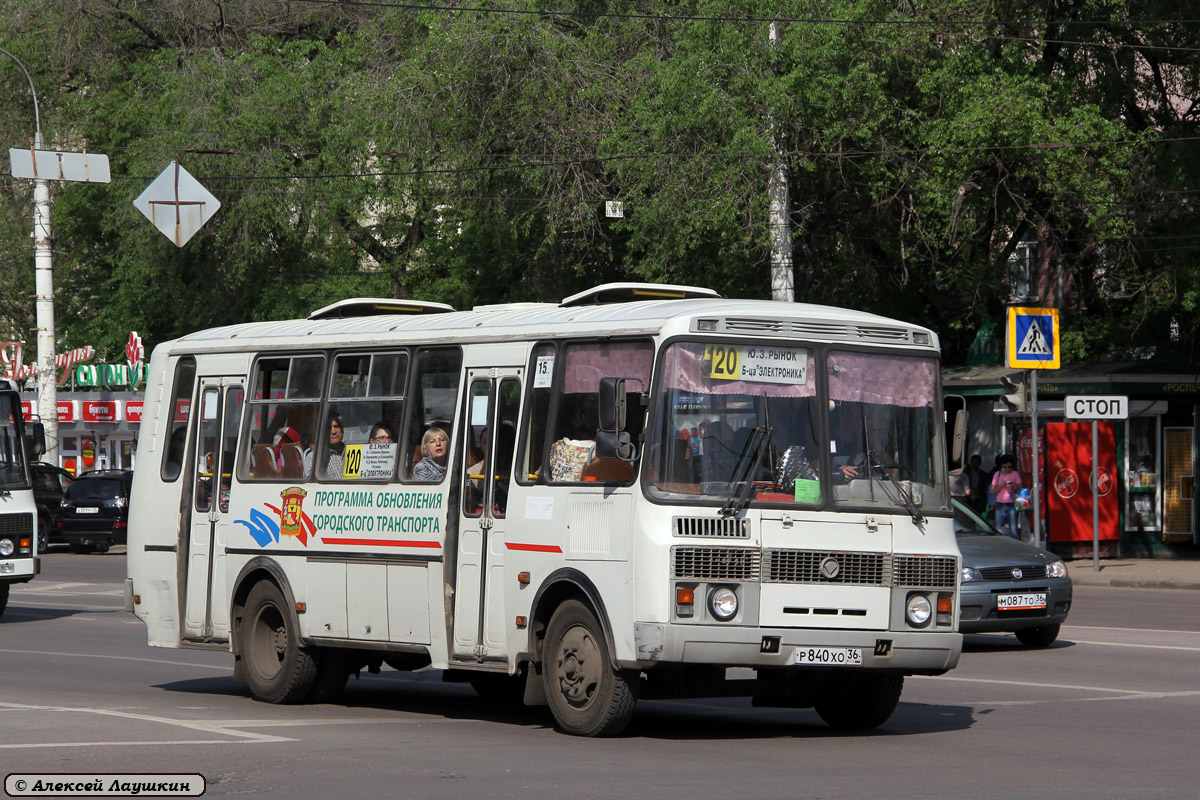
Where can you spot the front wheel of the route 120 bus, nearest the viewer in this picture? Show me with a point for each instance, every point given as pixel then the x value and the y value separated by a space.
pixel 586 695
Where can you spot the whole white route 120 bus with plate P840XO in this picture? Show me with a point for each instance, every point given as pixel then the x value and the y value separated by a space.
pixel 649 492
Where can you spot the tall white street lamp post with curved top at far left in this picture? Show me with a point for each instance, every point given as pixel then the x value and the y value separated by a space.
pixel 44 267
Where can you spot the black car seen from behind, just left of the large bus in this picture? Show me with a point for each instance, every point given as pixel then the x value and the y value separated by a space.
pixel 97 512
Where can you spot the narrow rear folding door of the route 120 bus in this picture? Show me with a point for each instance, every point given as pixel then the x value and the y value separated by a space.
pixel 206 612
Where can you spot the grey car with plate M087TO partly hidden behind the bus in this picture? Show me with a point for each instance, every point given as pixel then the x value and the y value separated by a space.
pixel 1009 586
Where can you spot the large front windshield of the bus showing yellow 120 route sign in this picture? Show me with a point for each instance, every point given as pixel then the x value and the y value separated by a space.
pixel 789 425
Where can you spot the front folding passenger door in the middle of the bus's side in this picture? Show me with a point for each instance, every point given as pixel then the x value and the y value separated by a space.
pixel 488 440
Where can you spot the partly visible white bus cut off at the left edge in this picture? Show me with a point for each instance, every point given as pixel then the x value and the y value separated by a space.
pixel 19 508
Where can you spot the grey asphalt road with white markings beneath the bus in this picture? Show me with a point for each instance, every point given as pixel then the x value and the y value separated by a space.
pixel 1109 712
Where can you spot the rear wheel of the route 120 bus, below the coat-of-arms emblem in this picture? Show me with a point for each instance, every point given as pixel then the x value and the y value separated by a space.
pixel 277 667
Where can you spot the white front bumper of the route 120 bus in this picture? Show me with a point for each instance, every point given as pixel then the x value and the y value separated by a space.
pixel 907 652
